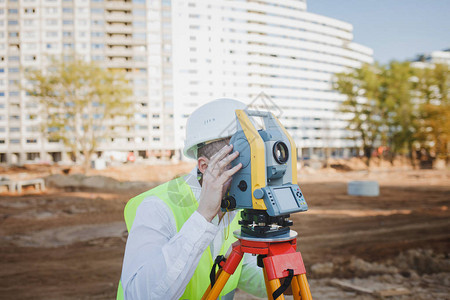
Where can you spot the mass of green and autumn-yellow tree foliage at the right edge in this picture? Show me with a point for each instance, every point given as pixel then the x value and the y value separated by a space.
pixel 397 106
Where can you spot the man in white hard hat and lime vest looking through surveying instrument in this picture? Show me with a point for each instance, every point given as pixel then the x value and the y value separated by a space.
pixel 177 229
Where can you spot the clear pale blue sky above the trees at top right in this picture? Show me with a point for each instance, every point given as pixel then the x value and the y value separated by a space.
pixel 394 29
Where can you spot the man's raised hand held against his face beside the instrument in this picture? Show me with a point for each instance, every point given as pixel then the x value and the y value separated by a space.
pixel 216 180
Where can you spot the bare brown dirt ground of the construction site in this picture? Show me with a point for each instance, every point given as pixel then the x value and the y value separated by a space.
pixel 69 244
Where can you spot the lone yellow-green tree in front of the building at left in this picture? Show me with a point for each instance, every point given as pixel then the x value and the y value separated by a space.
pixel 80 103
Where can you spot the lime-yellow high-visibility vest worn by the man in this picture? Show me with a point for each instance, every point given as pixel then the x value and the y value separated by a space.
pixel 179 198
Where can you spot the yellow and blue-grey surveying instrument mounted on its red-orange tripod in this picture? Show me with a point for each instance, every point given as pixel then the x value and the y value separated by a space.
pixel 267 191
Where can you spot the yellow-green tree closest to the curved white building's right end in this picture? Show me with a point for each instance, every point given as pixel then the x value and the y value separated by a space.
pixel 365 104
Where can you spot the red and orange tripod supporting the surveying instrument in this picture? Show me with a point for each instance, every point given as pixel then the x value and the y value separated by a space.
pixel 277 257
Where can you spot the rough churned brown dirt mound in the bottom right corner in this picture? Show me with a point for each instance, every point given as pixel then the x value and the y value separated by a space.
pixel 418 272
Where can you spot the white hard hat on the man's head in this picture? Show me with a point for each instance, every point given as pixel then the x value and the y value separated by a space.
pixel 211 121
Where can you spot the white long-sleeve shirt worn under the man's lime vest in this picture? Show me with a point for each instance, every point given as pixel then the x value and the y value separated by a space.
pixel 159 261
